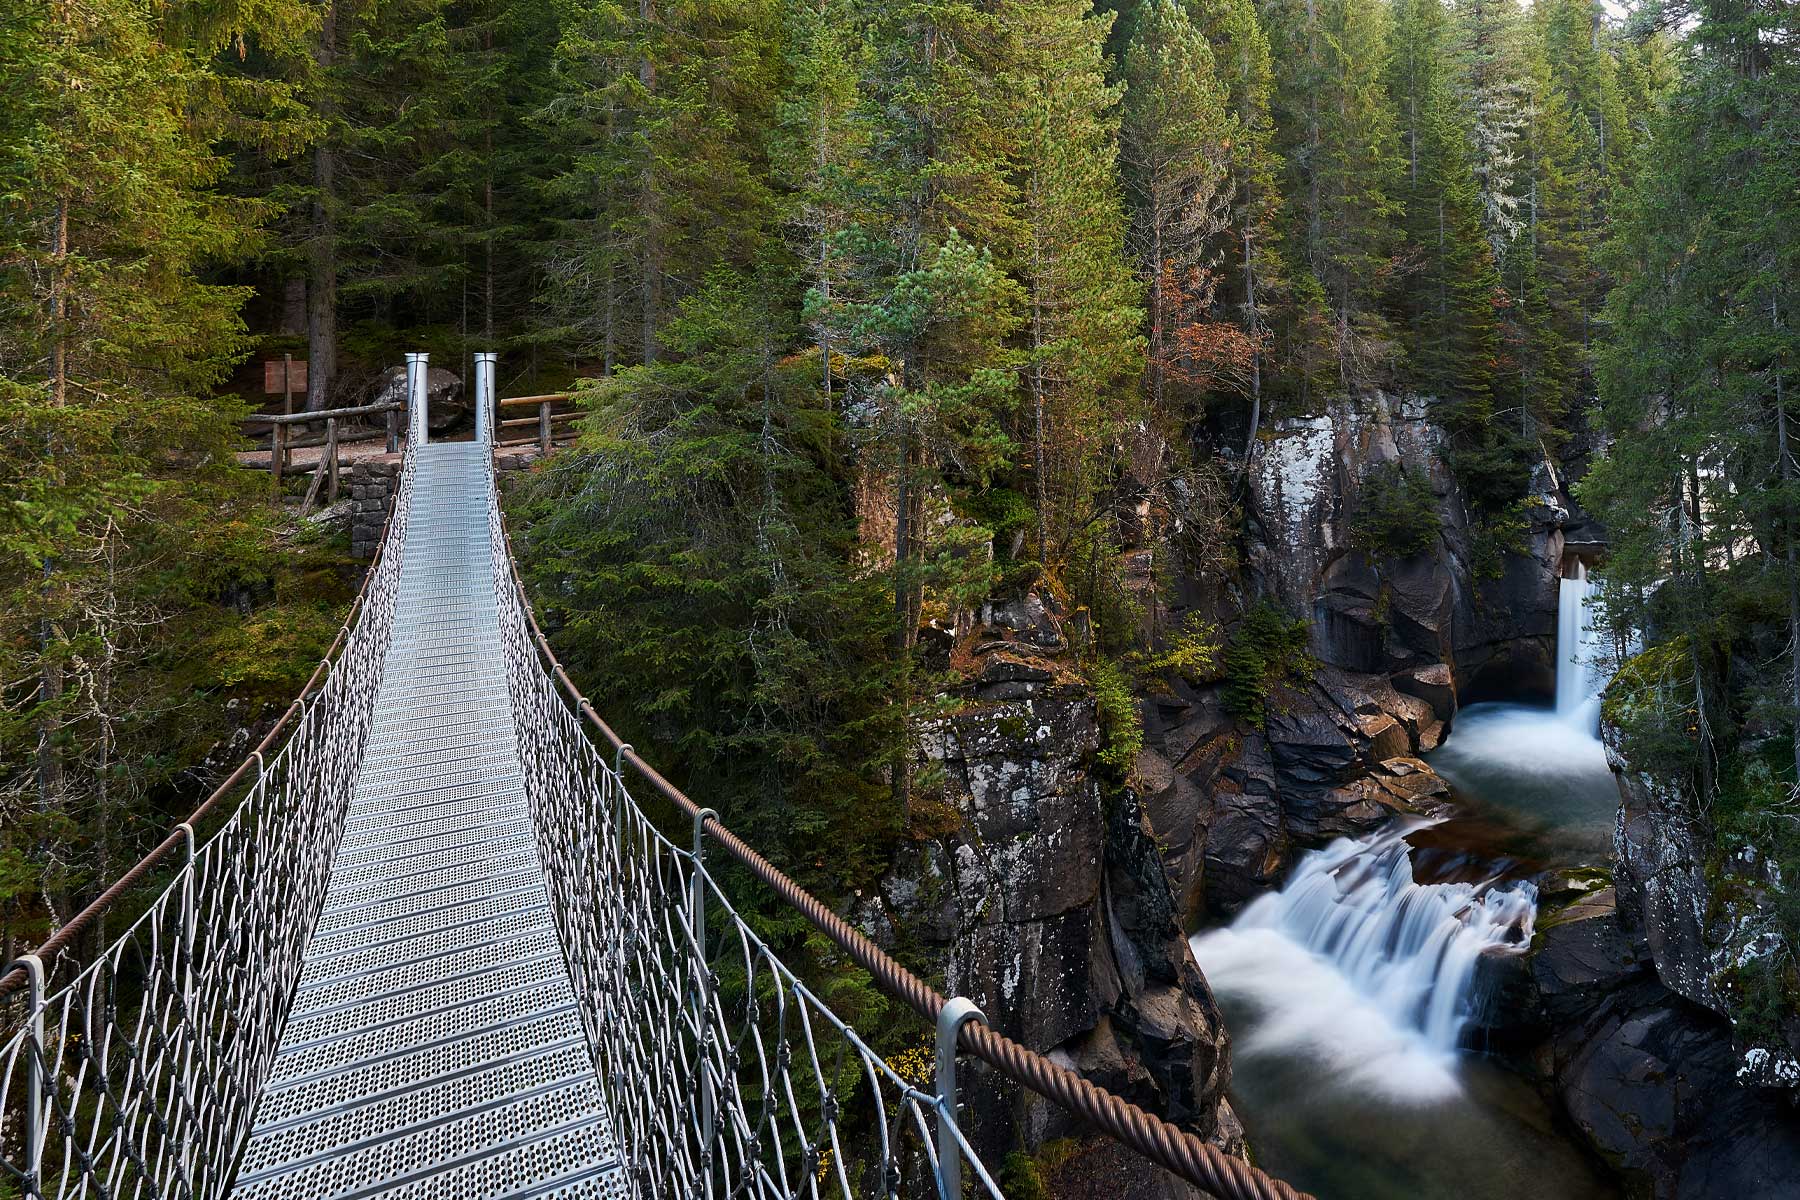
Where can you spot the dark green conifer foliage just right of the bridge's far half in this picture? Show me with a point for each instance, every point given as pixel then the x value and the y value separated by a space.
pixel 696 564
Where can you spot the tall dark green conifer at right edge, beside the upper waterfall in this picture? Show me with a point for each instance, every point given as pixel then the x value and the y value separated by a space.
pixel 1696 386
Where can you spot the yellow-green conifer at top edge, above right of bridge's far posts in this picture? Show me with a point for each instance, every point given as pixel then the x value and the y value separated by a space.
pixel 656 129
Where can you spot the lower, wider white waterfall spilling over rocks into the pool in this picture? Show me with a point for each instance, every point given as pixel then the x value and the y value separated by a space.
pixel 1360 962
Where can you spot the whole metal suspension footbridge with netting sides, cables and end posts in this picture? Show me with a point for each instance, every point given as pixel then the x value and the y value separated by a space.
pixel 427 944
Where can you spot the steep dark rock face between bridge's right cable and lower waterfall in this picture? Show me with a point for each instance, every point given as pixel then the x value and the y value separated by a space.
pixel 1052 911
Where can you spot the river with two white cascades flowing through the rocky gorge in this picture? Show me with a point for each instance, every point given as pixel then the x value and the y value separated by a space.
pixel 1349 990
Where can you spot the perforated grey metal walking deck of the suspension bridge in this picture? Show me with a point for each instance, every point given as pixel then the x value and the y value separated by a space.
pixel 433 1048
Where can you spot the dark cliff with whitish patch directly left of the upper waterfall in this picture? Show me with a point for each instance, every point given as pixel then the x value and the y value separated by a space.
pixel 1399 643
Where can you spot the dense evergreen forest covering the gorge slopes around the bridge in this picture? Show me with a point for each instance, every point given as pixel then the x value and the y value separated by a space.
pixel 885 314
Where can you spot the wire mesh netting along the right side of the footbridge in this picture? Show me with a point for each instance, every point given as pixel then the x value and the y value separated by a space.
pixel 724 1073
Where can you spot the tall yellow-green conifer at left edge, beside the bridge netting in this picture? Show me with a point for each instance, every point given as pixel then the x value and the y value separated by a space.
pixel 116 458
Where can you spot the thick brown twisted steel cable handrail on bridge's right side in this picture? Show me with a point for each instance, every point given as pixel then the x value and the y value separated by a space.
pixel 1160 1142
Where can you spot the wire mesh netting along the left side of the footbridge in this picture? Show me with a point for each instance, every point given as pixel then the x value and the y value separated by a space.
pixel 136 1070
